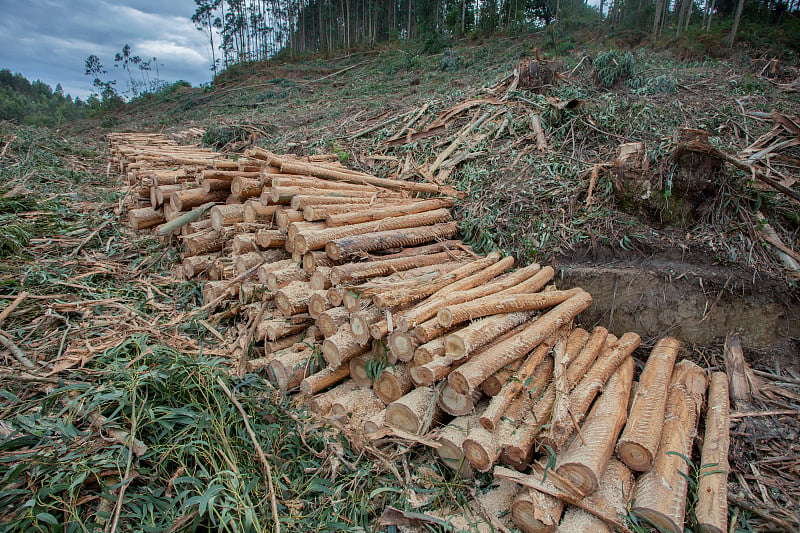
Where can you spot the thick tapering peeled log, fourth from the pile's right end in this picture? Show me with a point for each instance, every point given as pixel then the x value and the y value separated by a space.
pixel 584 462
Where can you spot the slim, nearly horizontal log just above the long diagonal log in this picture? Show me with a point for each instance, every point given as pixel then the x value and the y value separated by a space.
pixel 502 303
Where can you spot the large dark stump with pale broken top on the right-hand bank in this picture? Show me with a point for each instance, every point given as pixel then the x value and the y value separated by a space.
pixel 679 192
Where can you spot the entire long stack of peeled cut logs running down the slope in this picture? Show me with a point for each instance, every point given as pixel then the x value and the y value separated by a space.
pixel 366 306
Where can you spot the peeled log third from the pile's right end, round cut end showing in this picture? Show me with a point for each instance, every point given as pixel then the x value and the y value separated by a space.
pixel 639 441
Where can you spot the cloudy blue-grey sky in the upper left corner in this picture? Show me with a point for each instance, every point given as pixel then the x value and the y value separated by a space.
pixel 50 39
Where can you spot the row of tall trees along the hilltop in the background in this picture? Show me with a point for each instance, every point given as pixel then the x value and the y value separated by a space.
pixel 252 30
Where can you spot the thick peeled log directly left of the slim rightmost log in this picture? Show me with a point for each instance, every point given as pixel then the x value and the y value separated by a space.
pixel 659 495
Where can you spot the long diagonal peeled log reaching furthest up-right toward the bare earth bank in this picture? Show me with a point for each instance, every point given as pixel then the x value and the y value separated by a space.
pixel 472 373
